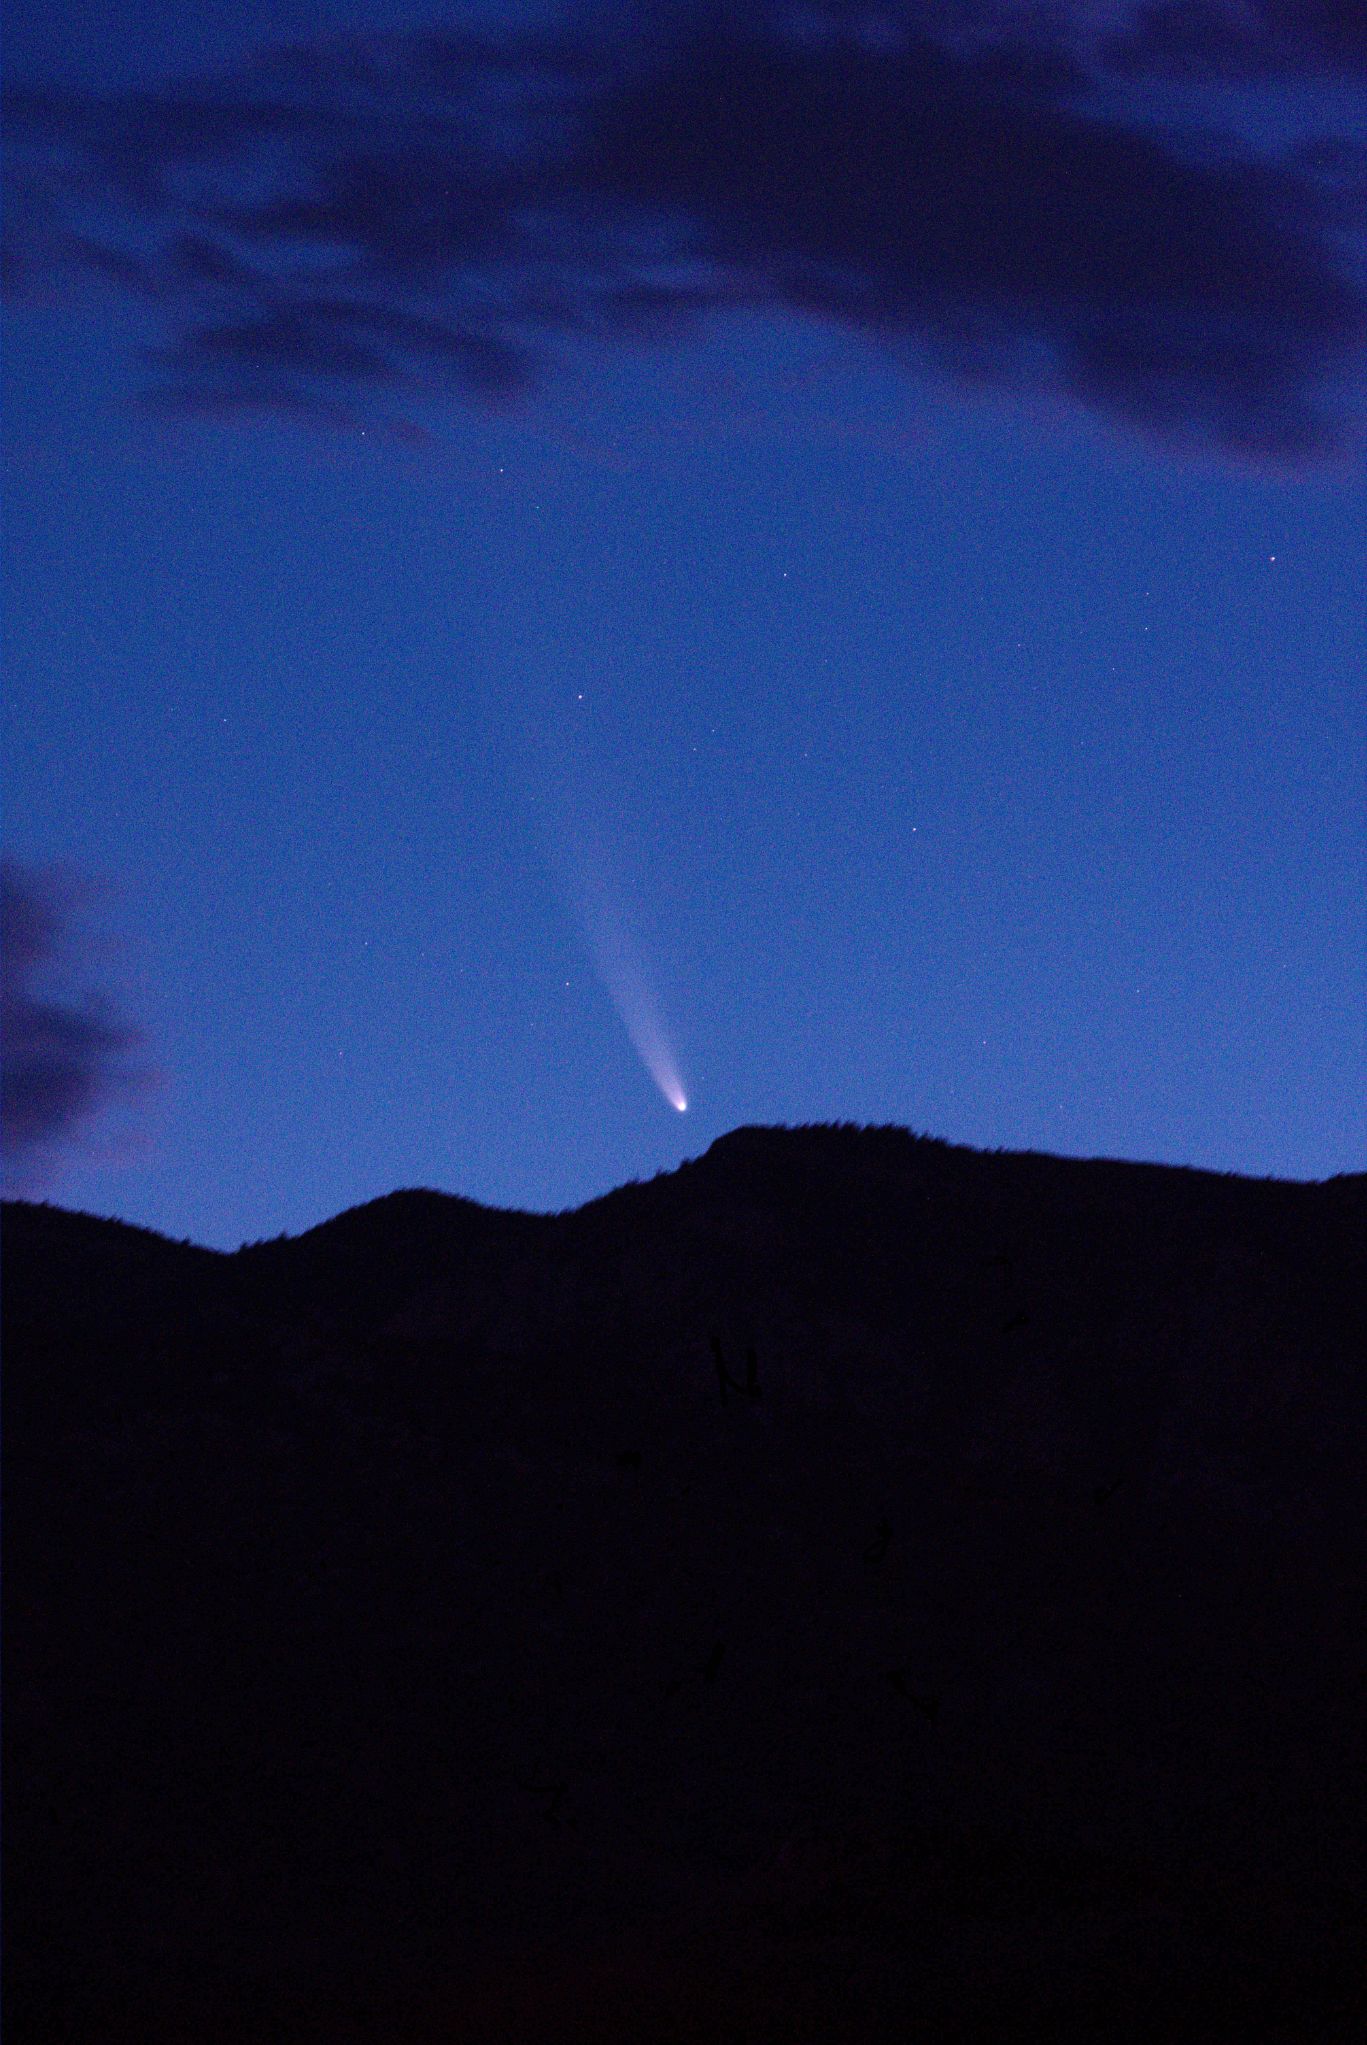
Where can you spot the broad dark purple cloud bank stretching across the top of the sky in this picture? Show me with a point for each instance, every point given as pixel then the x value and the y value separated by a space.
pixel 355 222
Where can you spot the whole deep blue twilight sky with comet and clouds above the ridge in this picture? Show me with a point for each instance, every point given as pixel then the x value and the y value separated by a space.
pixel 797 559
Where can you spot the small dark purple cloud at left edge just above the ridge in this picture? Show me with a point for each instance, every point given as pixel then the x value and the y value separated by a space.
pixel 60 1060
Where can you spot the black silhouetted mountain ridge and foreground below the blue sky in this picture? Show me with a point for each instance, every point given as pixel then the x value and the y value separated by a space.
pixel 844 1590
